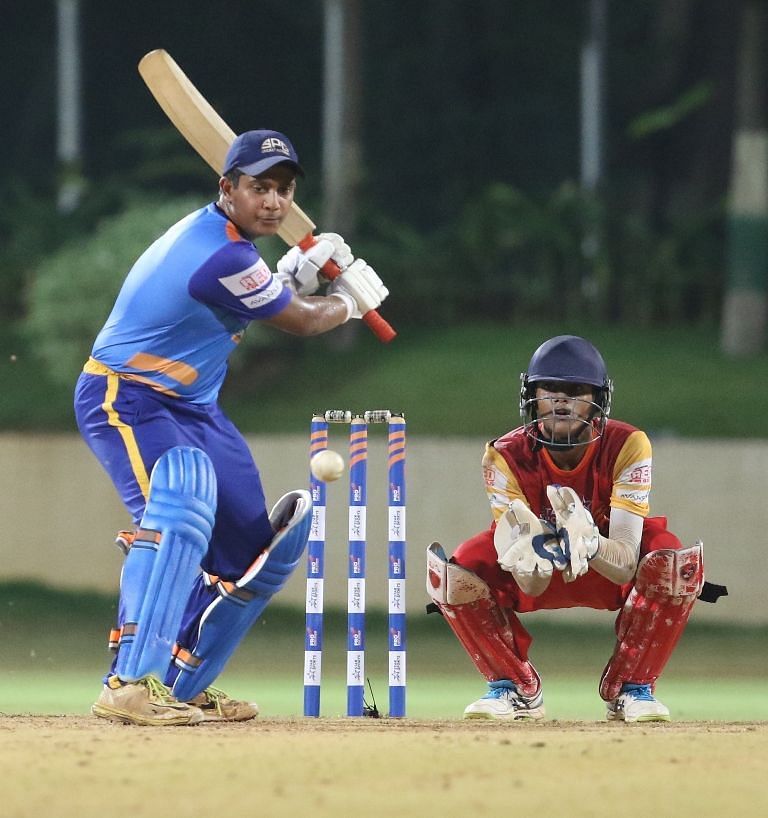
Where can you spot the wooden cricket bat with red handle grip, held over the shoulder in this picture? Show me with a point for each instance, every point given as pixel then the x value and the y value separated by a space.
pixel 197 121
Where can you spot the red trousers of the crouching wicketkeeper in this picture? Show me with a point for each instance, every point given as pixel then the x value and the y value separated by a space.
pixel 478 554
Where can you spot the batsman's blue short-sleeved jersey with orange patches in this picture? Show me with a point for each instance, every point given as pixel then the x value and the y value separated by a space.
pixel 184 307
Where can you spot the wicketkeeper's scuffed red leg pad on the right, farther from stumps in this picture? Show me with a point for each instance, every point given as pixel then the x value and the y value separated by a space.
pixel 653 617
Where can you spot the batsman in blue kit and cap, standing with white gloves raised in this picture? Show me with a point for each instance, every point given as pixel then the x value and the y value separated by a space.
pixel 206 555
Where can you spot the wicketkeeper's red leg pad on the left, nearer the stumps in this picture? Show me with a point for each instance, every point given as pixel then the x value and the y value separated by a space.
pixel 478 621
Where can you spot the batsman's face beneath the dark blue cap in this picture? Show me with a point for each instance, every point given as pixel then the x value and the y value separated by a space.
pixel 259 204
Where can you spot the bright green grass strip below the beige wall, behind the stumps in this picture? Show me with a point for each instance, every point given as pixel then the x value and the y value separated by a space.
pixel 53 654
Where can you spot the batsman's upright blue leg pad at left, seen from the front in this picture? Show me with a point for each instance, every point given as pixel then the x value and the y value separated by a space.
pixel 165 559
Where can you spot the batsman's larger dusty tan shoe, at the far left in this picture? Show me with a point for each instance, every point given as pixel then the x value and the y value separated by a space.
pixel 147 702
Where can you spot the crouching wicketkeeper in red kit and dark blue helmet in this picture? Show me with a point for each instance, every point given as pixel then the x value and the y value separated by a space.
pixel 569 496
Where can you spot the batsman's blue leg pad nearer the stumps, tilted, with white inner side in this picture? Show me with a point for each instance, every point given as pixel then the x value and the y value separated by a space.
pixel 239 604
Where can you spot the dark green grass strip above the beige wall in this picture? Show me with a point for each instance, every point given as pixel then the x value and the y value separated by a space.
pixel 452 381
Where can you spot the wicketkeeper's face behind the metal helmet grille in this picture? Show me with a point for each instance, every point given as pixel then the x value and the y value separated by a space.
pixel 565 411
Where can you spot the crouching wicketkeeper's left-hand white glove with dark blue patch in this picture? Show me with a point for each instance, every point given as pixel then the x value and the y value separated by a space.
pixel 527 547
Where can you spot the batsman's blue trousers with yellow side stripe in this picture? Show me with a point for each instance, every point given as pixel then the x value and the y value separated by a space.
pixel 128 426
